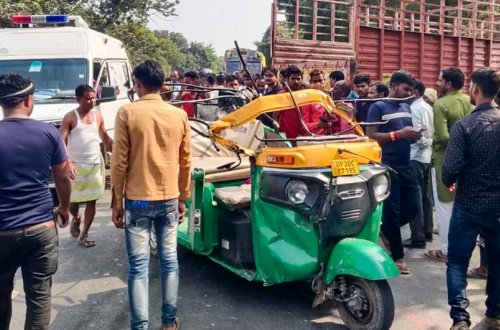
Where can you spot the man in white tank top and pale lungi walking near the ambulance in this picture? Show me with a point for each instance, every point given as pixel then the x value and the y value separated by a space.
pixel 83 130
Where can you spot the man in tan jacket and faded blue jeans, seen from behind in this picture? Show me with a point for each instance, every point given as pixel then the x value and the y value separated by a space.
pixel 150 167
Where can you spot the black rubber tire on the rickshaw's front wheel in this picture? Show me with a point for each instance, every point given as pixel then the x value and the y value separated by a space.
pixel 379 295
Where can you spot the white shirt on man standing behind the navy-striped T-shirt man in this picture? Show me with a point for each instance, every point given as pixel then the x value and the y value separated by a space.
pixel 422 118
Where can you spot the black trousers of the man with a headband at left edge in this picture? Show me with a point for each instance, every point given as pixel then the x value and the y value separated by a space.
pixel 35 251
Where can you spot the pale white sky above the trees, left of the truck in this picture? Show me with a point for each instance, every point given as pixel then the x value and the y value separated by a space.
pixel 219 22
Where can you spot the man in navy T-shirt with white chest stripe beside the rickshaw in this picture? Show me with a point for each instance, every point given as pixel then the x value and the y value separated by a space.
pixel 395 138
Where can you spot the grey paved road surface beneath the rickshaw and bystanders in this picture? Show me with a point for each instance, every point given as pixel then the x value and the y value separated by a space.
pixel 89 291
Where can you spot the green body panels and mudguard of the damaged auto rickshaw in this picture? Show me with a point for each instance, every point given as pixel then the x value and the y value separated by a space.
pixel 288 242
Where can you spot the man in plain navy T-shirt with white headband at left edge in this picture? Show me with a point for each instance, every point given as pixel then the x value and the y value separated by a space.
pixel 28 237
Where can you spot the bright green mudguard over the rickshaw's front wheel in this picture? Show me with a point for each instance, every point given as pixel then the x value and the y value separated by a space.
pixel 361 258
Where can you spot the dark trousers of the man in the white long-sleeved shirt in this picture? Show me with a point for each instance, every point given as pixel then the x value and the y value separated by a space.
pixel 422 225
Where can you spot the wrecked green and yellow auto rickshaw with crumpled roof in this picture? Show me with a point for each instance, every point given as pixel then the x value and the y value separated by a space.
pixel 276 210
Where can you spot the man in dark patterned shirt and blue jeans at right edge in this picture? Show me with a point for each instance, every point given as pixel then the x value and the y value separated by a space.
pixel 472 163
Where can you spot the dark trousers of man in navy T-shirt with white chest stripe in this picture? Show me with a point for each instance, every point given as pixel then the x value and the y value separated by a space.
pixel 400 208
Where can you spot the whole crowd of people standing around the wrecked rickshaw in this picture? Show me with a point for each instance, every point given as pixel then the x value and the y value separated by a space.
pixel 442 149
